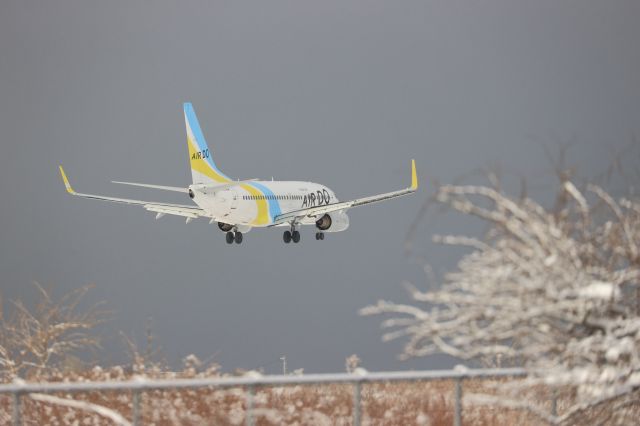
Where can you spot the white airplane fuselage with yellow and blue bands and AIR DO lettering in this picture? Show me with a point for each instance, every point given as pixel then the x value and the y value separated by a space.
pixel 259 203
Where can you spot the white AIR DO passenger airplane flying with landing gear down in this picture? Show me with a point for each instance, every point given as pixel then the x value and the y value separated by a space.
pixel 237 206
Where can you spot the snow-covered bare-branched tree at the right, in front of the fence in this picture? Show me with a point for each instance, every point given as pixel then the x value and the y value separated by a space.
pixel 556 291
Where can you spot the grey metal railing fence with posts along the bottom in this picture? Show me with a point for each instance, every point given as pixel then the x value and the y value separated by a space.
pixel 138 386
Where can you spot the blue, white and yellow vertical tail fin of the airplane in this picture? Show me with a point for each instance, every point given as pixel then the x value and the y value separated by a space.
pixel 203 168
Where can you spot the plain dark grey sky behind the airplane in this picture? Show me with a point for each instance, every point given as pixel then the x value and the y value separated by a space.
pixel 338 92
